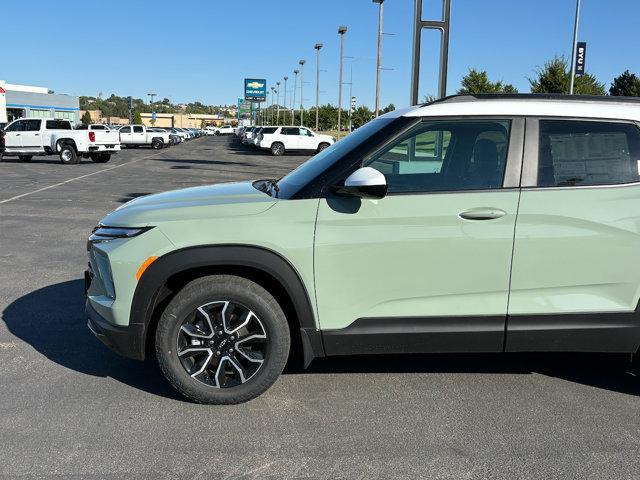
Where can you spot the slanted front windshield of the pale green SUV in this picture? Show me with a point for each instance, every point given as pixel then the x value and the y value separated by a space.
pixel 309 170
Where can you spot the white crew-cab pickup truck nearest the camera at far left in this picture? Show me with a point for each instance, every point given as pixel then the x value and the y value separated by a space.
pixel 29 137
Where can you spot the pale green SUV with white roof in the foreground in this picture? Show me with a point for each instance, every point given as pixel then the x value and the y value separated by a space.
pixel 470 224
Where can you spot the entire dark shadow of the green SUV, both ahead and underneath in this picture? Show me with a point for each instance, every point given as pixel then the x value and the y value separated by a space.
pixel 53 322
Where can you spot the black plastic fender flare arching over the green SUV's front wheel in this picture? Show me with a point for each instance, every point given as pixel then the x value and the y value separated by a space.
pixel 265 260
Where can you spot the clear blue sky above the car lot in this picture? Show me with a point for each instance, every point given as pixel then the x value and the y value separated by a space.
pixel 201 50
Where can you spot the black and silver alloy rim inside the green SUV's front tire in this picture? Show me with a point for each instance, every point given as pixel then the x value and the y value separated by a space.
pixel 222 344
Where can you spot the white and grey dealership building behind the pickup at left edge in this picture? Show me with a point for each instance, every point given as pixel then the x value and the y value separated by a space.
pixel 18 101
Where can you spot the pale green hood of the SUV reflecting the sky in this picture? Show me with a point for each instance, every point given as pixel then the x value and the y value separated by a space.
pixel 227 199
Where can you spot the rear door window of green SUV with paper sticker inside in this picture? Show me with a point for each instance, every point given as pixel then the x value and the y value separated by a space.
pixel 576 153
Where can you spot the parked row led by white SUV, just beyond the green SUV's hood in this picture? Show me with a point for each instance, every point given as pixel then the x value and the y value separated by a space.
pixel 280 139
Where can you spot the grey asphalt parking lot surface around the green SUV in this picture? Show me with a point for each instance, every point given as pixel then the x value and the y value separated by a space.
pixel 72 408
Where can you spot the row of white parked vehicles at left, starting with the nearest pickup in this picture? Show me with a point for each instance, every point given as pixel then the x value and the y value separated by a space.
pixel 29 137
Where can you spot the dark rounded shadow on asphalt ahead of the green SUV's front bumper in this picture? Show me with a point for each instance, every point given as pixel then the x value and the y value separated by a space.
pixel 53 322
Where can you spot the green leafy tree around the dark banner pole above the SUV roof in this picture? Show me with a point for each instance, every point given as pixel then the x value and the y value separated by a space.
pixel 554 77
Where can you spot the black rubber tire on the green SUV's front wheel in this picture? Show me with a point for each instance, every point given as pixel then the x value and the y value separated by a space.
pixel 200 293
